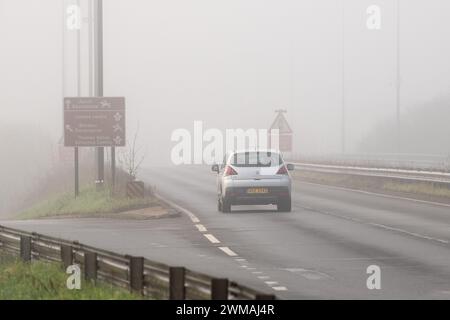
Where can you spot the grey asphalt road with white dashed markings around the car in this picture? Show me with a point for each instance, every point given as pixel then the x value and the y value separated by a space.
pixel 322 249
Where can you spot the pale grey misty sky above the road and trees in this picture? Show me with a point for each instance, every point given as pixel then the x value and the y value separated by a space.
pixel 231 63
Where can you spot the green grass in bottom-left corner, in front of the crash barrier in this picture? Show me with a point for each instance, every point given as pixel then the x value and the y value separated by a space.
pixel 47 281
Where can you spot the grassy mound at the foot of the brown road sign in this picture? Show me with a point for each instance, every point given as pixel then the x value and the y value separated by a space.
pixel 90 202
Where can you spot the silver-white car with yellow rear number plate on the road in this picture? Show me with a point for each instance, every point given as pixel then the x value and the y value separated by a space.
pixel 253 178
